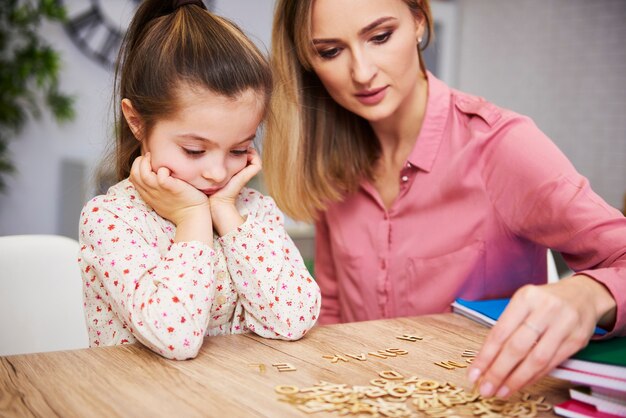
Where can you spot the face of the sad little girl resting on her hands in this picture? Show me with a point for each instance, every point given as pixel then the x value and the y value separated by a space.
pixel 206 142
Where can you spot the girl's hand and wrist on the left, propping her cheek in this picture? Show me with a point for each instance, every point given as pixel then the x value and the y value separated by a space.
pixel 173 199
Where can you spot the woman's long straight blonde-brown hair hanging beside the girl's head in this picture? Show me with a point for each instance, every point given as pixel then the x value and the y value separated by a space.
pixel 326 149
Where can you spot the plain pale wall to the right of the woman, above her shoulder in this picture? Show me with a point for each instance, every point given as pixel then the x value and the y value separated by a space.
pixel 563 63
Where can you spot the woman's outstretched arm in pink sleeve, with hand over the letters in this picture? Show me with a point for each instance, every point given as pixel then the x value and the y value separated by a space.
pixel 539 196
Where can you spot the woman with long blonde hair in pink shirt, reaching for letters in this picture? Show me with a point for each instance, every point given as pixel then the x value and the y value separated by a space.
pixel 422 194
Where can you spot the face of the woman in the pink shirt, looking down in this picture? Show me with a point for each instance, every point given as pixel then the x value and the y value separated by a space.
pixel 366 54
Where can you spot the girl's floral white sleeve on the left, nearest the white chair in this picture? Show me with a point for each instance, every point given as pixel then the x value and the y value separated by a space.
pixel 163 296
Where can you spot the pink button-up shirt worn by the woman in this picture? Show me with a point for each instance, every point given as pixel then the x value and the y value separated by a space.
pixel 483 194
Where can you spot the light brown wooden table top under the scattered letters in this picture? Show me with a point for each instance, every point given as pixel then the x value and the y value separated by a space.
pixel 227 379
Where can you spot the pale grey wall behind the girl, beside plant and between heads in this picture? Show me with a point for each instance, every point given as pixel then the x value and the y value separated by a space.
pixel 34 198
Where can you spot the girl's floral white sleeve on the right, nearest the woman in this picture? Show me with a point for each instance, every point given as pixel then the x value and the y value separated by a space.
pixel 279 297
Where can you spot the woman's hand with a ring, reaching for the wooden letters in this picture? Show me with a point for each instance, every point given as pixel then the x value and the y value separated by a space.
pixel 540 328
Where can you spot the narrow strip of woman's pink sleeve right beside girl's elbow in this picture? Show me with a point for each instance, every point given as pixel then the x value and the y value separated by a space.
pixel 325 273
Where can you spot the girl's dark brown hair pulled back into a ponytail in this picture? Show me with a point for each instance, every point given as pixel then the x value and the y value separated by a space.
pixel 166 47
